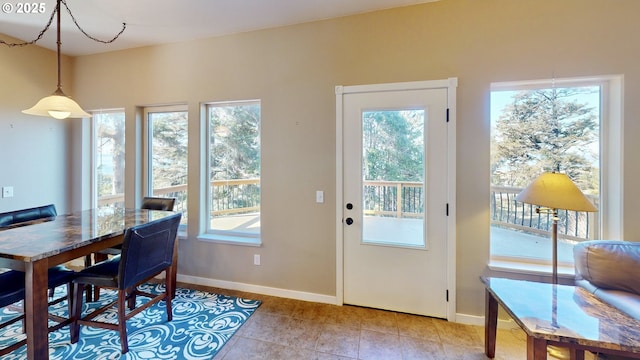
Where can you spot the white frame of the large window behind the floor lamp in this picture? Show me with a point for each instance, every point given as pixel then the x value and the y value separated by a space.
pixel 611 159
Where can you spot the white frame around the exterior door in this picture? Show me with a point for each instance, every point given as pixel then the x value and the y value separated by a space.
pixel 450 84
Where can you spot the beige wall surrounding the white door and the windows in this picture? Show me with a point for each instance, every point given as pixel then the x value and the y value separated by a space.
pixel 294 70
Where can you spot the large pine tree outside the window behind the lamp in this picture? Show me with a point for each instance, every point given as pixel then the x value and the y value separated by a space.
pixel 545 130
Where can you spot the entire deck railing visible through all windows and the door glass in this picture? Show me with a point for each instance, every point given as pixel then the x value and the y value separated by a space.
pixel 396 199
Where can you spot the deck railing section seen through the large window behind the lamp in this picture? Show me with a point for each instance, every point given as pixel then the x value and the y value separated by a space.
pixel 509 213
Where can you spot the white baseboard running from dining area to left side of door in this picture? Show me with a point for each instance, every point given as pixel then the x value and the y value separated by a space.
pixel 264 290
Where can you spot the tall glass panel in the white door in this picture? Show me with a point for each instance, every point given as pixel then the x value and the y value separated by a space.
pixel 393 177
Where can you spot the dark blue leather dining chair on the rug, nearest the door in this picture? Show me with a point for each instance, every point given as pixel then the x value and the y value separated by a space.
pixel 147 251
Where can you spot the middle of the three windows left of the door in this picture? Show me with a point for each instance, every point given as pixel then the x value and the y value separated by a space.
pixel 166 155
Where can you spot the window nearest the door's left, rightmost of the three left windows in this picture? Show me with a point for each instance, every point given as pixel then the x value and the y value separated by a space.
pixel 233 206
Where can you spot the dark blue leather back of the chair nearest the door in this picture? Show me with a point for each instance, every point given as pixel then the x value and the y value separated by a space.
pixel 147 250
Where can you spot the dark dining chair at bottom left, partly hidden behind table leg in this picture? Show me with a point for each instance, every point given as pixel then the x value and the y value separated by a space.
pixel 12 291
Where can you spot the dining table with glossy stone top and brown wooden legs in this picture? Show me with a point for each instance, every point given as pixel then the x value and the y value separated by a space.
pixel 36 246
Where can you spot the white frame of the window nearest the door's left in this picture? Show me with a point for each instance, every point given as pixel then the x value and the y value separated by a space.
pixel 225 236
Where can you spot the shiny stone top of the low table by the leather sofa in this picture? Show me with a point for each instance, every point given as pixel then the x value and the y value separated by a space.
pixel 566 314
